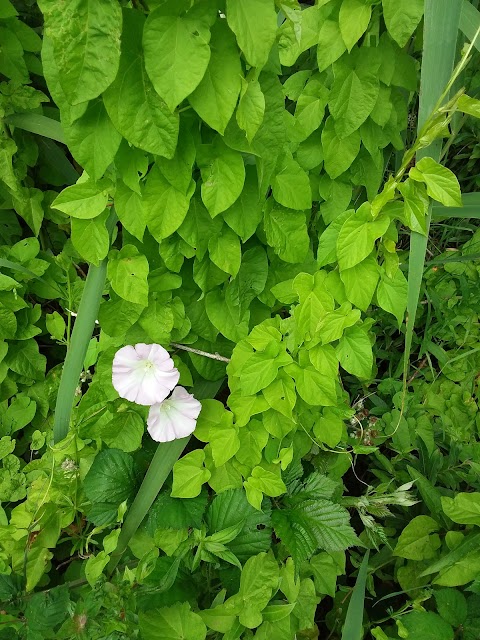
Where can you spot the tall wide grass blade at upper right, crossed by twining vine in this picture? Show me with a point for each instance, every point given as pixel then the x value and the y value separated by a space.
pixel 442 18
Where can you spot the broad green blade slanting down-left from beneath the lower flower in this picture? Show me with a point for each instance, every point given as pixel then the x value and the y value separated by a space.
pixel 166 455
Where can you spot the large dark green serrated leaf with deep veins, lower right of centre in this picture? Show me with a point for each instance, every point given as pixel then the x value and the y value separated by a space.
pixel 311 525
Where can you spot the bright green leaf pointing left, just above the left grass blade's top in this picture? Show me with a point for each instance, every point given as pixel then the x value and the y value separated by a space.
pixel 84 200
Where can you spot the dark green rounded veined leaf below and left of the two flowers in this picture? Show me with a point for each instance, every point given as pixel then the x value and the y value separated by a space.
pixel 109 482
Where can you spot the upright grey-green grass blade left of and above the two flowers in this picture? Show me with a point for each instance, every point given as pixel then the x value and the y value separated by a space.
pixel 81 335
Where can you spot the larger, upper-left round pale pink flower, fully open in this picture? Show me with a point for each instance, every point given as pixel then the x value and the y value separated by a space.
pixel 144 374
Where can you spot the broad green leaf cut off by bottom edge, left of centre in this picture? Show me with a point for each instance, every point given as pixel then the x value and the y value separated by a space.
pixel 177 622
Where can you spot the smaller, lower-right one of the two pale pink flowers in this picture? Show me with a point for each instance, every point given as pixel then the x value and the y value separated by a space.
pixel 175 417
